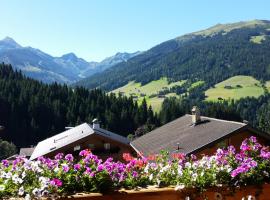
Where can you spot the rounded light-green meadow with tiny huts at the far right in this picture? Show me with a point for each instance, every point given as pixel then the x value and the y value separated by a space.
pixel 235 88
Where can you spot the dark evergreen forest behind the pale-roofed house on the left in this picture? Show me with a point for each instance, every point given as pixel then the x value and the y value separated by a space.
pixel 32 111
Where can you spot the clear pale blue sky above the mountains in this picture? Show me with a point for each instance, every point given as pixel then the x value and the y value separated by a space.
pixel 95 29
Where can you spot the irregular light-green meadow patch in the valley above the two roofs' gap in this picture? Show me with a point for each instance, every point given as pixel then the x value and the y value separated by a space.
pixel 154 87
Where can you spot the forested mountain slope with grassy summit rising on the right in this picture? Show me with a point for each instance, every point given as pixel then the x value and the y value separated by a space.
pixel 212 55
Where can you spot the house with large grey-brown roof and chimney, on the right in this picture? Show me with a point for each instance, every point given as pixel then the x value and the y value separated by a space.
pixel 195 134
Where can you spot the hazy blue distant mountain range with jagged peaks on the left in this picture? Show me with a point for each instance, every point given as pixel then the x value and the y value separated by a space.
pixel 41 66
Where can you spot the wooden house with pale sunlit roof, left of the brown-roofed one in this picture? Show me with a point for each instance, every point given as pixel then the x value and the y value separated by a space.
pixel 85 136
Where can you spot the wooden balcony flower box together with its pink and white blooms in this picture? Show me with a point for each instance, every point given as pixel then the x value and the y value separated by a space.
pixel 63 176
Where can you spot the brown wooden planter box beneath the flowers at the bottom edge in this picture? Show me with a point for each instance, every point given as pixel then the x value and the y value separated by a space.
pixel 244 193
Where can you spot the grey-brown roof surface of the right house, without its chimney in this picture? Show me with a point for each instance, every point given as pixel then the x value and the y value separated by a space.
pixel 181 132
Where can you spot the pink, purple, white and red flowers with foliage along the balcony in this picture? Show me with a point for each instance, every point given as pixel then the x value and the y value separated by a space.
pixel 65 175
